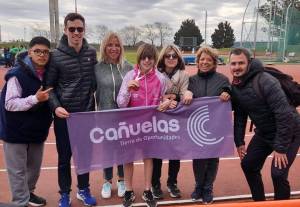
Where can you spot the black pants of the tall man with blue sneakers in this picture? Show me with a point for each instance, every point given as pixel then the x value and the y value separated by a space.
pixel 64 158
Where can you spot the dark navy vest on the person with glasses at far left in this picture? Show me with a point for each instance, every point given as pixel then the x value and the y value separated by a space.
pixel 24 127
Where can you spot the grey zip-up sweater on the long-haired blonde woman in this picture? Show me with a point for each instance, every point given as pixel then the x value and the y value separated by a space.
pixel 109 78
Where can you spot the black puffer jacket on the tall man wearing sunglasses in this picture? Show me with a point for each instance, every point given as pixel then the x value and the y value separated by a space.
pixel 71 74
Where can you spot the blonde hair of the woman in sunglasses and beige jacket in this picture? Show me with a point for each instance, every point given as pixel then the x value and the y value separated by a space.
pixel 161 62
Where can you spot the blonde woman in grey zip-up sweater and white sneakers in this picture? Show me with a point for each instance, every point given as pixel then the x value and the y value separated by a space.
pixel 110 72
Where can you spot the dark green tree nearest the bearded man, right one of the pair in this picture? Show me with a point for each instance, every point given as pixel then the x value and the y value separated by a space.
pixel 223 36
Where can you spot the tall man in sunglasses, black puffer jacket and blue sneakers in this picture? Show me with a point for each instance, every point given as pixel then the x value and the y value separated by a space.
pixel 71 74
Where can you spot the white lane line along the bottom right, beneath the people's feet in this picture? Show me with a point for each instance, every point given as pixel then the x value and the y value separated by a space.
pixel 190 201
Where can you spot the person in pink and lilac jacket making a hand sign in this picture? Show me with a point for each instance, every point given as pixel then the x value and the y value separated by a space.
pixel 143 86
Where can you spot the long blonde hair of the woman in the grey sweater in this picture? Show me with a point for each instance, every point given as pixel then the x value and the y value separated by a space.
pixel 108 37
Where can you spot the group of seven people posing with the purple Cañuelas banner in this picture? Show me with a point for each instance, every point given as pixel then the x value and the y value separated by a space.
pixel 40 89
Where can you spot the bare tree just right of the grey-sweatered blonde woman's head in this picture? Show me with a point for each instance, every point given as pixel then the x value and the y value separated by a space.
pixel 130 35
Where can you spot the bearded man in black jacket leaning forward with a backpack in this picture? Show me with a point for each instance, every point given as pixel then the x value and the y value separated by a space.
pixel 277 125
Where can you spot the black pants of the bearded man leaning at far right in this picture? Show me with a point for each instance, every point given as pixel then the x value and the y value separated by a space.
pixel 252 163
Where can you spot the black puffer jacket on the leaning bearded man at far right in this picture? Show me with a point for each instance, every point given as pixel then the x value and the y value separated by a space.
pixel 273 117
